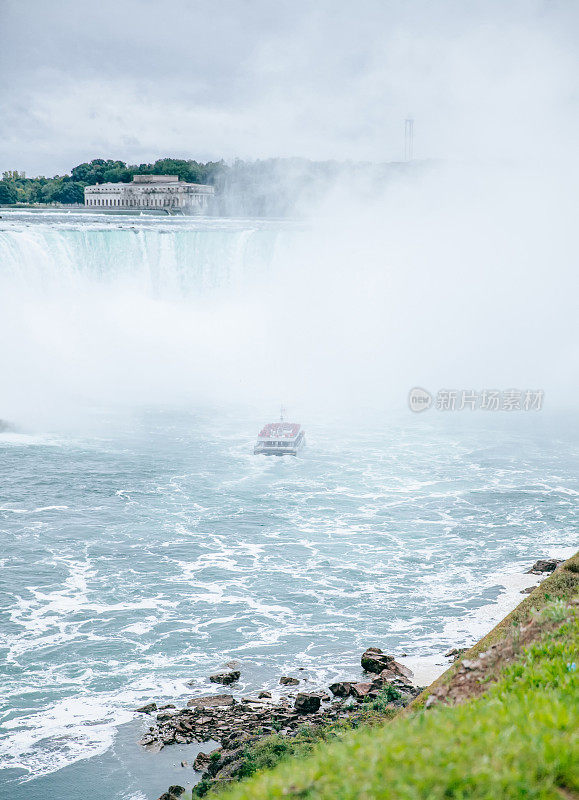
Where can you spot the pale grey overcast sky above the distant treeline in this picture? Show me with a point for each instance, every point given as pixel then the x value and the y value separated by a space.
pixel 205 79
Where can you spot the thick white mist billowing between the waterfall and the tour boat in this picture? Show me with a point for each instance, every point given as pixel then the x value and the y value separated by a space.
pixel 456 277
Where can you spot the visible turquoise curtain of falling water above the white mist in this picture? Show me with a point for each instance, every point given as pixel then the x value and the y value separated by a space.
pixel 163 261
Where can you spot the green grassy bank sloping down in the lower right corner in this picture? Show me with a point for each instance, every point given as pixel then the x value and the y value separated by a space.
pixel 516 740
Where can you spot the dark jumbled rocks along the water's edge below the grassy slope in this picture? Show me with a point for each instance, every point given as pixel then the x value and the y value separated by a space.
pixel 237 724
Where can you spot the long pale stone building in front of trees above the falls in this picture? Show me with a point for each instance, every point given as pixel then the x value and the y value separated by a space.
pixel 151 192
